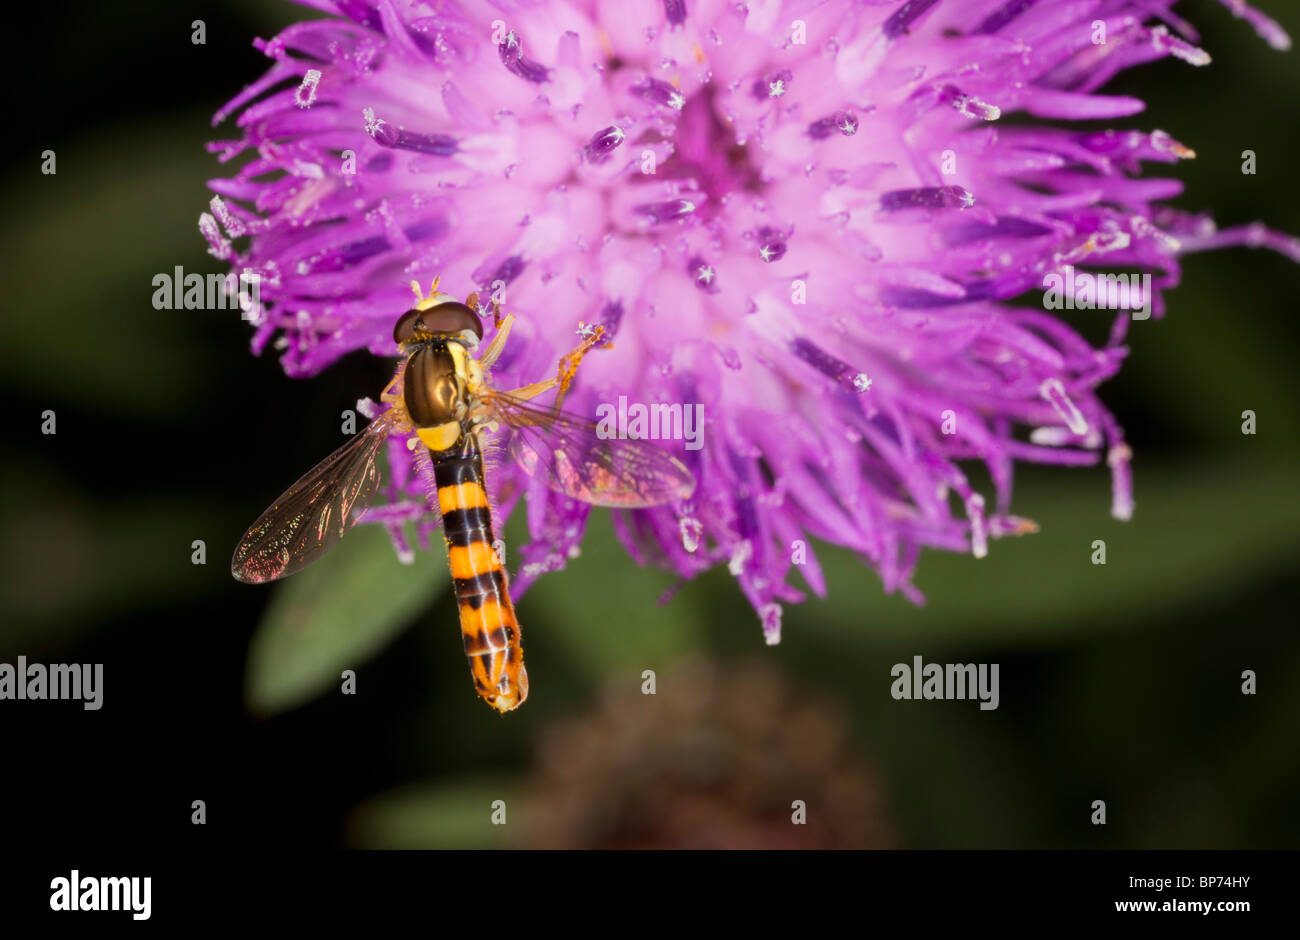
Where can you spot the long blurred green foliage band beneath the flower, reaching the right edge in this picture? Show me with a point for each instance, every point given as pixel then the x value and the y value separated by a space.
pixel 1197 531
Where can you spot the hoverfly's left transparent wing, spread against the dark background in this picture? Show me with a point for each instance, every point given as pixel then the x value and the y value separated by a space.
pixel 313 516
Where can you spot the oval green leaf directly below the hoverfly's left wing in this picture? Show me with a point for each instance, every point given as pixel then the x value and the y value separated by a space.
pixel 336 616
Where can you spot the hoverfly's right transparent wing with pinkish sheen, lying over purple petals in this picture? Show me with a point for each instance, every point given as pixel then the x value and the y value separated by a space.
pixel 570 456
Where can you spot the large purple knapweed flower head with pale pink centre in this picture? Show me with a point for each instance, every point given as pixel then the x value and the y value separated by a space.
pixel 808 216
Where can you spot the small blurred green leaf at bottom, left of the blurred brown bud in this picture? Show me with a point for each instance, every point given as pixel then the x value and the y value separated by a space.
pixel 456 816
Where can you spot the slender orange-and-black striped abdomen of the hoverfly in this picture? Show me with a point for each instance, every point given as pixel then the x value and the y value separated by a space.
pixel 488 623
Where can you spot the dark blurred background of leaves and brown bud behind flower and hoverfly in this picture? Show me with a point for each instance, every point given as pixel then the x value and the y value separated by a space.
pixel 1119 683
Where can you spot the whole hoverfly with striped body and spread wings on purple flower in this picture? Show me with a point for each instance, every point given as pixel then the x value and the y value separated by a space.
pixel 441 400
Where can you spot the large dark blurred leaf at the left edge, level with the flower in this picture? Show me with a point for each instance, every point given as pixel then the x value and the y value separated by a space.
pixel 138 220
